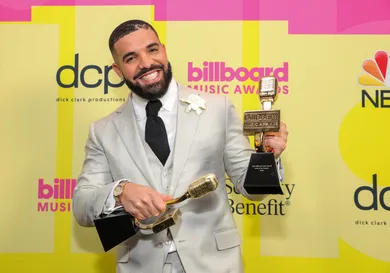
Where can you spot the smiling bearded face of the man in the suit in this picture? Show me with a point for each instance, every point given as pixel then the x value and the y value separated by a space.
pixel 141 60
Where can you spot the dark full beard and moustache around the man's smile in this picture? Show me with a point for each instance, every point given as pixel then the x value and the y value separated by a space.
pixel 152 91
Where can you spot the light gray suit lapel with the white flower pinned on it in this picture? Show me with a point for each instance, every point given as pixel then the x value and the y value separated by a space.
pixel 187 124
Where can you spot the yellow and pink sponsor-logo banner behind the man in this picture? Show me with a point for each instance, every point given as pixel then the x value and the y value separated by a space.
pixel 331 60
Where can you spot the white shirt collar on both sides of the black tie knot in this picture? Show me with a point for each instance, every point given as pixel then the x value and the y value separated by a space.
pixel 168 100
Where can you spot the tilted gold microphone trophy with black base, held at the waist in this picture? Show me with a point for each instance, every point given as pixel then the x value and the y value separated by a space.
pixel 120 225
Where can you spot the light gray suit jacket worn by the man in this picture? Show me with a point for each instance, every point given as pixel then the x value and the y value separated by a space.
pixel 206 238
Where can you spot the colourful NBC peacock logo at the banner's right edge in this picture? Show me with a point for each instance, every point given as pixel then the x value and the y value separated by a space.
pixel 376 70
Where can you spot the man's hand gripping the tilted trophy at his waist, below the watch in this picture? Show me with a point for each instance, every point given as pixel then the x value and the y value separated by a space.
pixel 142 202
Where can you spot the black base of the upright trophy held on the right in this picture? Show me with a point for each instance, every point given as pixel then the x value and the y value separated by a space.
pixel 262 175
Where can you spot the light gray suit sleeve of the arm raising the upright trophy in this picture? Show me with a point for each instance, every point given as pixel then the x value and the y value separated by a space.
pixel 238 151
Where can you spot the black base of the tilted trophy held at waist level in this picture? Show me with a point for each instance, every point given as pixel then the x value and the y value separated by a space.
pixel 115 228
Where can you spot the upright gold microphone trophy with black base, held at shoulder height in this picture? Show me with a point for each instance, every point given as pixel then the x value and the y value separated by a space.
pixel 262 175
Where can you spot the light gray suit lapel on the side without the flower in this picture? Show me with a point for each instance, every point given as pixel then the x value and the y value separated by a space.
pixel 128 131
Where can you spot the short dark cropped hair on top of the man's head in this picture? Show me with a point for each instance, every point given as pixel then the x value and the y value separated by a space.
pixel 126 28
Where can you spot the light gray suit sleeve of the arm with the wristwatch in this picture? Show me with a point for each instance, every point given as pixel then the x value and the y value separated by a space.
pixel 91 196
